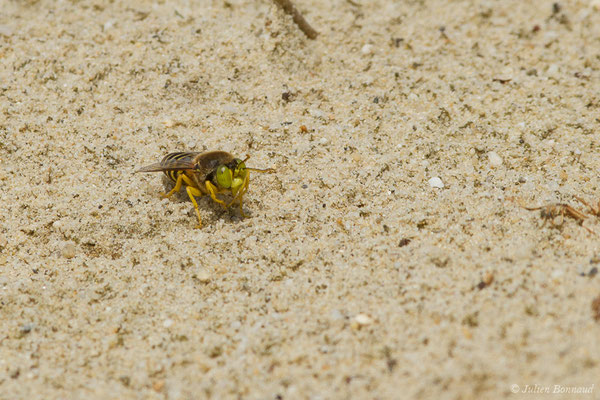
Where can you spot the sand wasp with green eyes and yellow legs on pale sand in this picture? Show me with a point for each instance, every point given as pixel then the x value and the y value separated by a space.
pixel 207 173
